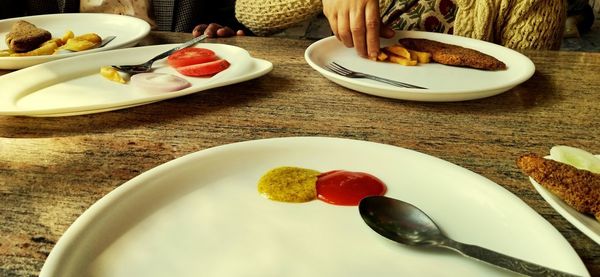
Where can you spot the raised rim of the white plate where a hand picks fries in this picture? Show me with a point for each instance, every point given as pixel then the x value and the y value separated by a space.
pixel 419 94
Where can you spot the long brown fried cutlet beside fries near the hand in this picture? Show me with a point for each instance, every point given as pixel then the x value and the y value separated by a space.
pixel 454 55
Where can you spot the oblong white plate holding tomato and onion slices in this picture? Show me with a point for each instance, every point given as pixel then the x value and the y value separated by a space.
pixel 75 86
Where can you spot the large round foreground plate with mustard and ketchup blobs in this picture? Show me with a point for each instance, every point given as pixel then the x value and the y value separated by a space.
pixel 201 215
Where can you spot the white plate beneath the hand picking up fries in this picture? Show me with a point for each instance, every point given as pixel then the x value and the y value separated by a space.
pixel 444 83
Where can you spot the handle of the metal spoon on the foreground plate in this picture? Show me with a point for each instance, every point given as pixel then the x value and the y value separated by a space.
pixel 504 261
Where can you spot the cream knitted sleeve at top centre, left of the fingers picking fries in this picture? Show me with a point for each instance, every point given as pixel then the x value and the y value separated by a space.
pixel 264 17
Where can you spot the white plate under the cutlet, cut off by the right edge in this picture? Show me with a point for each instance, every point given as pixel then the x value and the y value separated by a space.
pixel 586 224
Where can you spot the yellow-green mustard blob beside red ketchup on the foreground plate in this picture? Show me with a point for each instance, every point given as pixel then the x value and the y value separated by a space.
pixel 289 184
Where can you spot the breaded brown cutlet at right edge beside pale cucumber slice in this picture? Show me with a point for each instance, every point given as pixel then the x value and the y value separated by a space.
pixel 580 189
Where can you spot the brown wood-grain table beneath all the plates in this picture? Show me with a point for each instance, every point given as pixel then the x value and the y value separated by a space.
pixel 53 169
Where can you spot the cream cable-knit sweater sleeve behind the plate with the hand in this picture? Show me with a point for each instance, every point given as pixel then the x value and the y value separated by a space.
pixel 517 24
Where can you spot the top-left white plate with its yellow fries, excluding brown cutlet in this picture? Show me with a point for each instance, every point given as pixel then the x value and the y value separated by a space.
pixel 127 30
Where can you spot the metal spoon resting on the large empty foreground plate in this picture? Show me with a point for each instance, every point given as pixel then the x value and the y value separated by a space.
pixel 405 223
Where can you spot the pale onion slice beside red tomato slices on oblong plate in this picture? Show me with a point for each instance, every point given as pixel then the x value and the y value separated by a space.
pixel 160 82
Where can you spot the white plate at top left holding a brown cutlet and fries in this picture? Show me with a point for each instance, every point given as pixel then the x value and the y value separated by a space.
pixel 128 31
